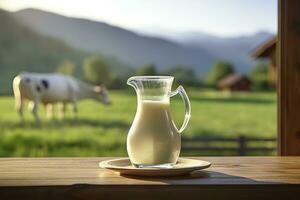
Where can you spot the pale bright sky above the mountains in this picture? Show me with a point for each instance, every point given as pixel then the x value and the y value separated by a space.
pixel 224 18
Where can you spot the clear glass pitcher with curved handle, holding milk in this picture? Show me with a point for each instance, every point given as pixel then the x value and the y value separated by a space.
pixel 153 139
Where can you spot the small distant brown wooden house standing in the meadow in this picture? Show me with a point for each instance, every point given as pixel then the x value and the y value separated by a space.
pixel 235 82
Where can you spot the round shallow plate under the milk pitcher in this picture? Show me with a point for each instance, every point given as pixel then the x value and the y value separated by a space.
pixel 183 166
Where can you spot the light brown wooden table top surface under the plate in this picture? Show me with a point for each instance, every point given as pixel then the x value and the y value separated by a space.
pixel 224 170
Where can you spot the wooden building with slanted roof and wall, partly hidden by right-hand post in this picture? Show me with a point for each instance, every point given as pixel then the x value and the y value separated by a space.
pixel 268 50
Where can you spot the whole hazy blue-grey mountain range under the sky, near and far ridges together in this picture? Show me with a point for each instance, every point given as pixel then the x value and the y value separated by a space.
pixel 195 50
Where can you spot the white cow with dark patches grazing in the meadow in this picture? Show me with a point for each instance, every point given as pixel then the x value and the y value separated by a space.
pixel 53 88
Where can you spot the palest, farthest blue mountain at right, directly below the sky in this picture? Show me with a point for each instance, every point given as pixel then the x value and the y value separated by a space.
pixel 233 49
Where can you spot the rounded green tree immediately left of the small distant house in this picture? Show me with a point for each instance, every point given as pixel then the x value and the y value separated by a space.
pixel 218 71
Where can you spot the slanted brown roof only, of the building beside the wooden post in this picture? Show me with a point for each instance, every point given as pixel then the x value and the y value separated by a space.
pixel 265 49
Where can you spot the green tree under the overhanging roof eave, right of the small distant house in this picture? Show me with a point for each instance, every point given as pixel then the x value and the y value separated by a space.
pixel 259 76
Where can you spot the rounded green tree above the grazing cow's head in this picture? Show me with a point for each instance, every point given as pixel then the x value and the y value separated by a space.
pixel 96 71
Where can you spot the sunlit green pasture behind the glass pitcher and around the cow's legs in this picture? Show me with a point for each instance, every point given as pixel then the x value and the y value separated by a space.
pixel 101 130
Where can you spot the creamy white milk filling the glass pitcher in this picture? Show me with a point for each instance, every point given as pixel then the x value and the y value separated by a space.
pixel 153 139
